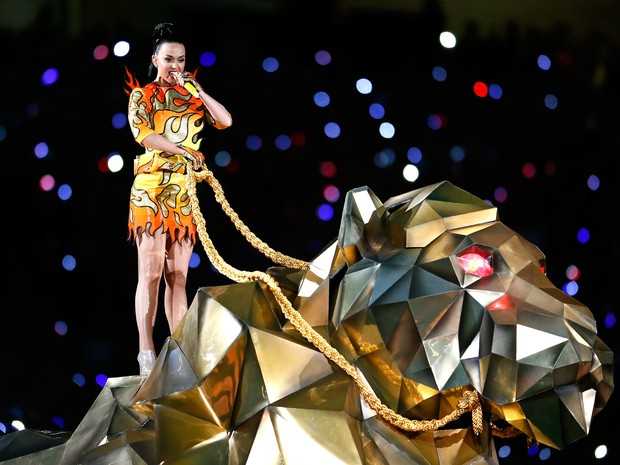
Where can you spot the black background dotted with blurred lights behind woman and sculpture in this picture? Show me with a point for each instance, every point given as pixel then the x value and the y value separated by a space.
pixel 276 192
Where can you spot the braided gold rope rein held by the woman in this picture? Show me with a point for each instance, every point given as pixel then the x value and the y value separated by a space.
pixel 469 402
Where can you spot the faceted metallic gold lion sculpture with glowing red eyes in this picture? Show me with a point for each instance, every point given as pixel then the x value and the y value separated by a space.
pixel 428 295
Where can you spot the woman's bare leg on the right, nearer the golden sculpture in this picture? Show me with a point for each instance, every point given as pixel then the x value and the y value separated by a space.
pixel 175 275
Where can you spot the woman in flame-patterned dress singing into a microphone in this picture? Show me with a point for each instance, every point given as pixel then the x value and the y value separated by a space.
pixel 166 119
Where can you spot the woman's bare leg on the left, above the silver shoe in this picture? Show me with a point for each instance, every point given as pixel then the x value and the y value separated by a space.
pixel 151 257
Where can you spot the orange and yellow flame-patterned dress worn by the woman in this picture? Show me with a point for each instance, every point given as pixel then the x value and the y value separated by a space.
pixel 159 197
